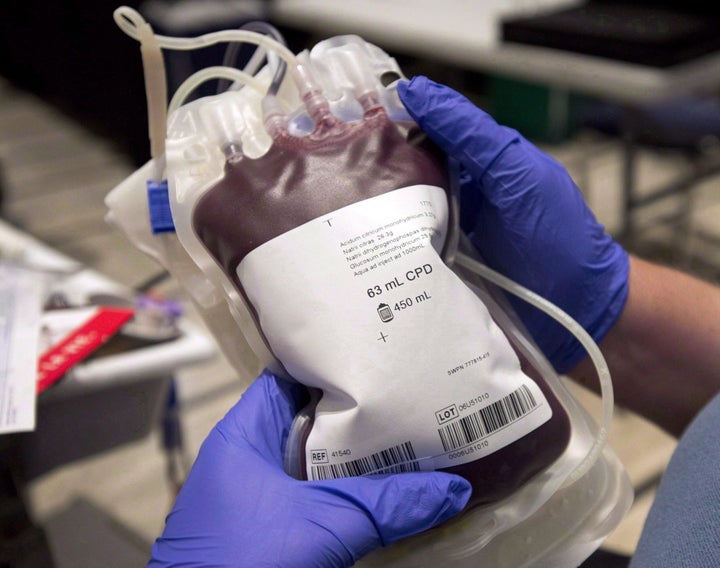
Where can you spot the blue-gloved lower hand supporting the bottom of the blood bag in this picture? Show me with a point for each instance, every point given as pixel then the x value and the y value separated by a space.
pixel 239 508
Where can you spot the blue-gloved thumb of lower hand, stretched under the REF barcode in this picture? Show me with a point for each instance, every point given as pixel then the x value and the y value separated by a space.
pixel 397 505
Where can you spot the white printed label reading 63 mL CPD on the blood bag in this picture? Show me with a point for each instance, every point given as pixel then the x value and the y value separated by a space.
pixel 414 372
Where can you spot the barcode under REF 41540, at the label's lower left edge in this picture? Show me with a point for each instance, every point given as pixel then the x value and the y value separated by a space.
pixel 398 459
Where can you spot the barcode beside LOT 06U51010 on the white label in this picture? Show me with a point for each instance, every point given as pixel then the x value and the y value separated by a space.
pixel 487 420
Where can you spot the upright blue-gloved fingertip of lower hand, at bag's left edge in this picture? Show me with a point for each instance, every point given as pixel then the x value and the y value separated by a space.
pixel 263 416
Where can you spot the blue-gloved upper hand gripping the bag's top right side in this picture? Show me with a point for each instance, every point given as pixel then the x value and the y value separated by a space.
pixel 528 220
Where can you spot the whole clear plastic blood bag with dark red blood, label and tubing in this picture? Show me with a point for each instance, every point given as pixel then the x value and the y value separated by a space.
pixel 313 222
